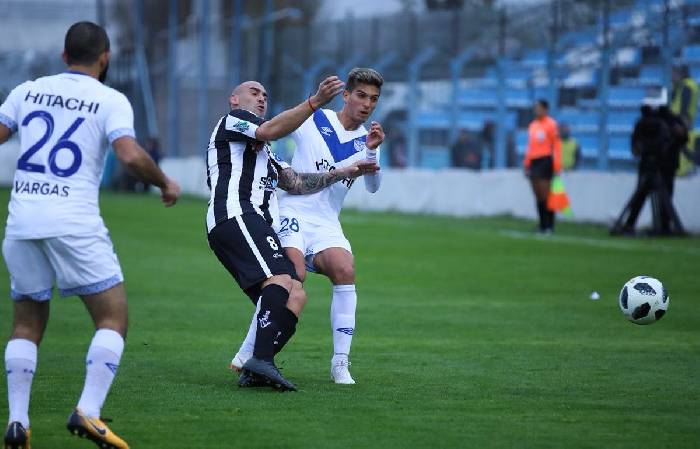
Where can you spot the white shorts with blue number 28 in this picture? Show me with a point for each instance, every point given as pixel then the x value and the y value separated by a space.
pixel 310 238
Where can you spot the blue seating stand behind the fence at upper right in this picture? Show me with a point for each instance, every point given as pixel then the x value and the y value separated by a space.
pixel 636 70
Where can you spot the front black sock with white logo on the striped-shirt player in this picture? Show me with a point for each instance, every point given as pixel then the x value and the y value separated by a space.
pixel 273 303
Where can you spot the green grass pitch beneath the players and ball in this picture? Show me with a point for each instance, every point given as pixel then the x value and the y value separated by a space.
pixel 471 334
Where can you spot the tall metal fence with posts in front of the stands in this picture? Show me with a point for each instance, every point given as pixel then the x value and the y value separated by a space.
pixel 476 69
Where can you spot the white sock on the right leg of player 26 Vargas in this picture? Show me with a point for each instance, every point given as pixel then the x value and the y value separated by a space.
pixel 102 362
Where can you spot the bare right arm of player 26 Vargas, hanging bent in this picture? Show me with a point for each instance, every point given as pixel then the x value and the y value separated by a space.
pixel 143 167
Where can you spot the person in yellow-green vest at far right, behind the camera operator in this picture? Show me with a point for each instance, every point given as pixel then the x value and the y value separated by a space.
pixel 684 103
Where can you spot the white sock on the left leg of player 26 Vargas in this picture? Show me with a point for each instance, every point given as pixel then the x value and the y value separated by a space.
pixel 20 363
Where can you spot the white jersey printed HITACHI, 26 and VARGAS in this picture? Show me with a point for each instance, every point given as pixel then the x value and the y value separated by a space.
pixel 63 121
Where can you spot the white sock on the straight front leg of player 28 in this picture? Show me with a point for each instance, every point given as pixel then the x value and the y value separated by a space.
pixel 343 319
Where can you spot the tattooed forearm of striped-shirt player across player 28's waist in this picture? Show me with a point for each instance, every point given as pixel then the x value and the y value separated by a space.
pixel 305 183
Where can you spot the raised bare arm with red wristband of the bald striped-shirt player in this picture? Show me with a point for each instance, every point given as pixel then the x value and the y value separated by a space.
pixel 289 120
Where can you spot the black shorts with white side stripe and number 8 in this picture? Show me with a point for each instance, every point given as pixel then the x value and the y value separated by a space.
pixel 250 250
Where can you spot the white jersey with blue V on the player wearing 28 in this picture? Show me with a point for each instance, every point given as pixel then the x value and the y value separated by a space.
pixel 322 145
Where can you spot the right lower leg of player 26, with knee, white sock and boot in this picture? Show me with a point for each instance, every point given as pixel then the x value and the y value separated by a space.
pixel 108 310
